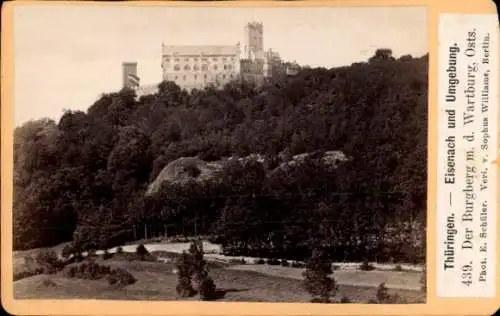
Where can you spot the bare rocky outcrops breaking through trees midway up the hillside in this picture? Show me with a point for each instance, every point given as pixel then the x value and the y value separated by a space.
pixel 187 169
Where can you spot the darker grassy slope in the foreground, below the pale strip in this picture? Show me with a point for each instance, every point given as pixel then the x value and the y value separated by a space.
pixel 156 281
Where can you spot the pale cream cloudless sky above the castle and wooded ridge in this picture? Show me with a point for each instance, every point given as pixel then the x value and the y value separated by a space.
pixel 66 56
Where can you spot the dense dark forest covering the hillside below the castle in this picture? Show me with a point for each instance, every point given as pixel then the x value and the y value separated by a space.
pixel 84 178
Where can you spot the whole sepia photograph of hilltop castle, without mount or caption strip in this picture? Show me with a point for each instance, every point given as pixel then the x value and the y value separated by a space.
pixel 227 154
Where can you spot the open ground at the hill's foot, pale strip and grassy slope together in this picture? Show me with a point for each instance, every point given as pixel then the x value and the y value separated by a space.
pixel 245 281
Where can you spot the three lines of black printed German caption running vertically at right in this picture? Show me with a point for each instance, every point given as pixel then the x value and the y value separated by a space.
pixel 466 144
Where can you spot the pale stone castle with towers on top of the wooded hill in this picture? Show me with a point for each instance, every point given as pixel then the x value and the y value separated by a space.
pixel 200 66
